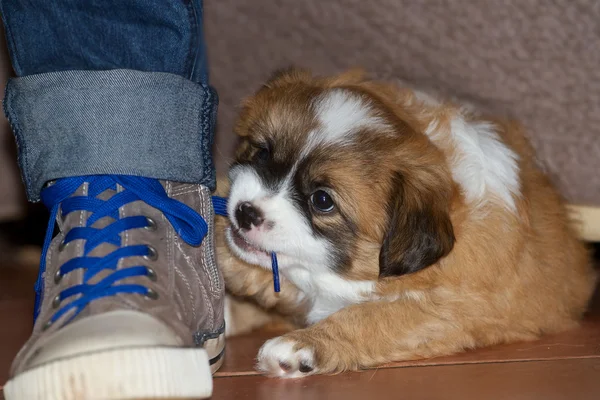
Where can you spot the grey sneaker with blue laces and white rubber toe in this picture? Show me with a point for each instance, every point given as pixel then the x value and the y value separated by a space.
pixel 129 299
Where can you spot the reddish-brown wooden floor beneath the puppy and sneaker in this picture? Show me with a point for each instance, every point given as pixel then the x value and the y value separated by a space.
pixel 565 366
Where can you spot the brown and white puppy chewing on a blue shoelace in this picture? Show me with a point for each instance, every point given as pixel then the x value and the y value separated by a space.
pixel 406 227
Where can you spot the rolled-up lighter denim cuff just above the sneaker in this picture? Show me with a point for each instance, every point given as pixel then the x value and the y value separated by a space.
pixel 118 122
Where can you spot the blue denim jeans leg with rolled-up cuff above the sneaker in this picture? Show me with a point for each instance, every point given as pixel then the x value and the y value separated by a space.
pixel 109 87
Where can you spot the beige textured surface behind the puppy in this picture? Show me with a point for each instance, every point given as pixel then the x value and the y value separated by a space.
pixel 538 60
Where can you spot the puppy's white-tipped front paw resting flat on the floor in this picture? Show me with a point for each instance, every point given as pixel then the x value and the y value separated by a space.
pixel 286 358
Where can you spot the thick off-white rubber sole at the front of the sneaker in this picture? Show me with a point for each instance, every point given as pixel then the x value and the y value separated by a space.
pixel 123 374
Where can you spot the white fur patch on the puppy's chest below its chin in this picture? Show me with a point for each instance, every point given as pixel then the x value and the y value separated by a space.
pixel 328 291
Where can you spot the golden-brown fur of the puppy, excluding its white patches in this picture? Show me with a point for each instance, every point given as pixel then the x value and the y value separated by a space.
pixel 497 275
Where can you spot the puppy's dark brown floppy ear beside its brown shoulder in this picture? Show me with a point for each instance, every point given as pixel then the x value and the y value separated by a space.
pixel 419 230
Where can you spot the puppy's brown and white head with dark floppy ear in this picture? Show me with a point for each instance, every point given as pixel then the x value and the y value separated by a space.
pixel 331 176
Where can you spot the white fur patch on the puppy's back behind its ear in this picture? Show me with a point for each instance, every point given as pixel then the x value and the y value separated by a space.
pixel 483 165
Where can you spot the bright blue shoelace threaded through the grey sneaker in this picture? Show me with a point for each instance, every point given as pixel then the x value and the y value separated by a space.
pixel 188 224
